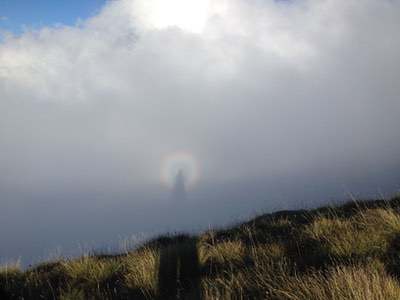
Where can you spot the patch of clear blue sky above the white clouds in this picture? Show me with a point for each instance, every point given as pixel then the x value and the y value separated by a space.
pixel 16 14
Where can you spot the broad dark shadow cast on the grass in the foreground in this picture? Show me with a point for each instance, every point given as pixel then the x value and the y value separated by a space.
pixel 178 276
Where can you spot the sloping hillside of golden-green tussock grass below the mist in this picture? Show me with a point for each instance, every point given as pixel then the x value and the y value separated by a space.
pixel 345 252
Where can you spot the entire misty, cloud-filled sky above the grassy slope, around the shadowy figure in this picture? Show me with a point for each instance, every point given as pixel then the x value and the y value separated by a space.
pixel 263 105
